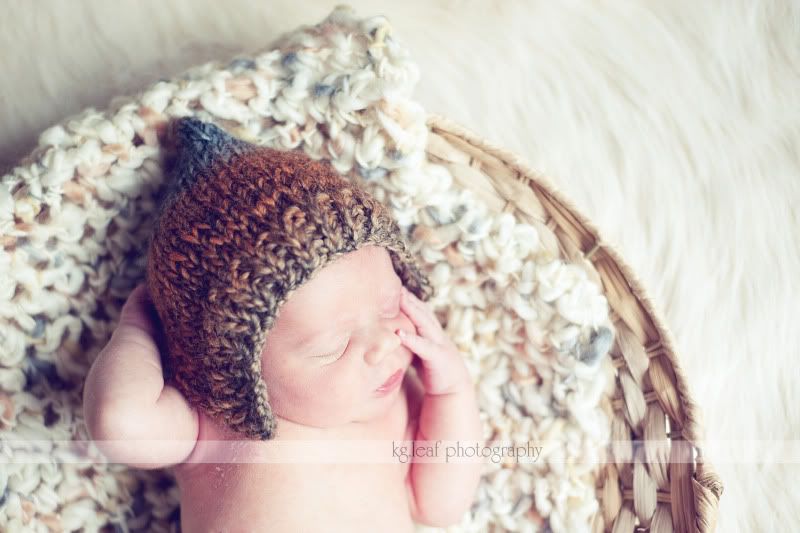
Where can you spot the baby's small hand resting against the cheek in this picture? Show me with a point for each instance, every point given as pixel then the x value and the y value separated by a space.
pixel 443 369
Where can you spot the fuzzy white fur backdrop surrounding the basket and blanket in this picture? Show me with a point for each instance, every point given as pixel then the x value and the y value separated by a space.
pixel 674 125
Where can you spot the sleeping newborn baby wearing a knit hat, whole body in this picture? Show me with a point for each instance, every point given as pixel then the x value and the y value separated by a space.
pixel 282 307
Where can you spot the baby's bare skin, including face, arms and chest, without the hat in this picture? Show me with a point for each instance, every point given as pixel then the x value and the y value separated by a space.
pixel 325 362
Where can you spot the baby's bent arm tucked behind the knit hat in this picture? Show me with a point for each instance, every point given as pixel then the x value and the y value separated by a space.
pixel 125 399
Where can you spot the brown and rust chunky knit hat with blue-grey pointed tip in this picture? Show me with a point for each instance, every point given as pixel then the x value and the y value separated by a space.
pixel 239 228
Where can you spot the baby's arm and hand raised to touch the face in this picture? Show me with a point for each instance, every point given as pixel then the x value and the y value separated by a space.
pixel 440 492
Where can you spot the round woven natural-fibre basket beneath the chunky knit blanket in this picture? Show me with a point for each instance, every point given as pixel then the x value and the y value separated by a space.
pixel 652 401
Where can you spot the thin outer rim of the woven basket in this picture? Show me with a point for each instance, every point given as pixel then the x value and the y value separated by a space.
pixel 706 483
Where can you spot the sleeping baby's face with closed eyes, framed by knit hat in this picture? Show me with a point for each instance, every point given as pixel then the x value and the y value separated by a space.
pixel 333 346
